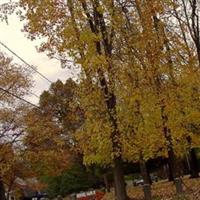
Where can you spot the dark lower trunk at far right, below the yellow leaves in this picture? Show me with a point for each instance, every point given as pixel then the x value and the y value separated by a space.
pixel 194 171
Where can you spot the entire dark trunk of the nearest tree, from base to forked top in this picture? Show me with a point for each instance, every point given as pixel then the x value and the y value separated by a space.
pixel 97 25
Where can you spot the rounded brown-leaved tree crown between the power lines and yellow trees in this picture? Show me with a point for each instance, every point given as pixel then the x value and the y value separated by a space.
pixel 60 102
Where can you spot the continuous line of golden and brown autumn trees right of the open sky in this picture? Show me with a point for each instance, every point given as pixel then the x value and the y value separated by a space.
pixel 137 94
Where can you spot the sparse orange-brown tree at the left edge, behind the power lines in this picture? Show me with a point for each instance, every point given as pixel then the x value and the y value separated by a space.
pixel 15 80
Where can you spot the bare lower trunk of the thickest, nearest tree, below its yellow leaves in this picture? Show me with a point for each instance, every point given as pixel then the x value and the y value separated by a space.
pixel 120 187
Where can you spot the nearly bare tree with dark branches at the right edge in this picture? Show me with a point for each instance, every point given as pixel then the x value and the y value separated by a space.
pixel 185 22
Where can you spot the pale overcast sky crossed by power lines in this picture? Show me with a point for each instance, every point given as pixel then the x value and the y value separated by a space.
pixel 12 36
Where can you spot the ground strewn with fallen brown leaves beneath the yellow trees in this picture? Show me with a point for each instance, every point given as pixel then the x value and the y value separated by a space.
pixel 164 190
